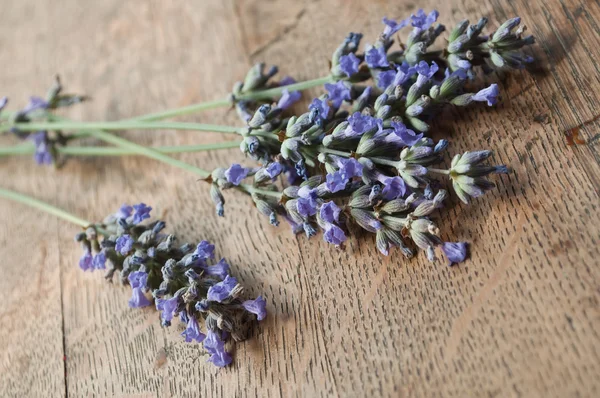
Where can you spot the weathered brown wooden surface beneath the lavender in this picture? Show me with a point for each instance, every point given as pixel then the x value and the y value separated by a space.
pixel 520 318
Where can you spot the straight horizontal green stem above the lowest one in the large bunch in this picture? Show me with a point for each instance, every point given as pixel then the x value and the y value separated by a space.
pixel 126 125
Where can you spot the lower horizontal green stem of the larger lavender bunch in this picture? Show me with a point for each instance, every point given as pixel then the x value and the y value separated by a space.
pixel 27 149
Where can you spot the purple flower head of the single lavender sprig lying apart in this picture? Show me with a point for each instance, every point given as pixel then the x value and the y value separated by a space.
pixel 183 278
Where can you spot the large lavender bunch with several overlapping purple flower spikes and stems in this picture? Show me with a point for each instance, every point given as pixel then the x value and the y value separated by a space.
pixel 359 157
